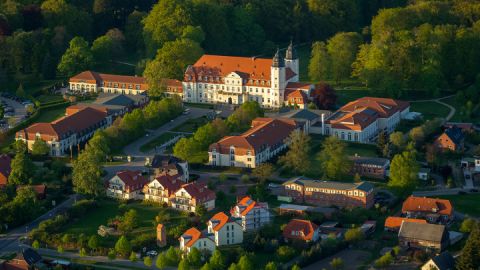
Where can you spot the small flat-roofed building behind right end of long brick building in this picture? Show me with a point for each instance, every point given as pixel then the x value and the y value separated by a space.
pixel 371 167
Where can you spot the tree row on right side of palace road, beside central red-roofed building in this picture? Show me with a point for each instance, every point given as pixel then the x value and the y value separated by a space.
pixel 194 149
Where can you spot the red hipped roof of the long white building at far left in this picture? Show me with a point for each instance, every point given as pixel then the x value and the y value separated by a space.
pixel 74 123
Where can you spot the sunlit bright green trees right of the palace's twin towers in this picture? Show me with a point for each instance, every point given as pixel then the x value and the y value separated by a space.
pixel 427 45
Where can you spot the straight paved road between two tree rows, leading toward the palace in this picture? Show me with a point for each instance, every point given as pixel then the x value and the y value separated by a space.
pixel 133 149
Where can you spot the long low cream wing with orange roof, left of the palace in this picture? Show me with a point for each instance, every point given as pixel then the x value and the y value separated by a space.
pixel 94 82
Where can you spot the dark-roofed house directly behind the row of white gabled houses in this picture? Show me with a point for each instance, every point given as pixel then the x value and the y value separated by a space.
pixel 170 165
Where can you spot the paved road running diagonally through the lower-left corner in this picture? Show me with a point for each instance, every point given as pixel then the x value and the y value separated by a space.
pixel 10 241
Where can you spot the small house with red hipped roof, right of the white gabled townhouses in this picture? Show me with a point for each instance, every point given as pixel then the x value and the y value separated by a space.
pixel 301 230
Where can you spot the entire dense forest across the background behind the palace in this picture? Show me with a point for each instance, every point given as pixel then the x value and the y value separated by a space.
pixel 390 46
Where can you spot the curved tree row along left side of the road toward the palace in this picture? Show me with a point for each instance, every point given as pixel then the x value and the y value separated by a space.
pixel 87 168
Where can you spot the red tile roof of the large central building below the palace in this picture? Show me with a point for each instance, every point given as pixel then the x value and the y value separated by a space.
pixel 259 136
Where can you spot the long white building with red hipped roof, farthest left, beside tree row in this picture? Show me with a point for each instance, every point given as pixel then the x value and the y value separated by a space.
pixel 67 132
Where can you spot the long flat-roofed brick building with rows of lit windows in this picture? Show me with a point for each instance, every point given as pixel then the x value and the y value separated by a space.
pixel 330 193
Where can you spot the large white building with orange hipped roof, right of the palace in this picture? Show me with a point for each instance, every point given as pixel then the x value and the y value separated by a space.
pixel 363 119
